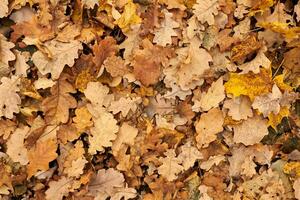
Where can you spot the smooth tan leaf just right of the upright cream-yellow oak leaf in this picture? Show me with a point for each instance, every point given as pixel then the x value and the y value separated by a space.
pixel 126 135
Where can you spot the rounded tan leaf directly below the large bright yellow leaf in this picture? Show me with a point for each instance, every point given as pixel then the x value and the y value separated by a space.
pixel 239 107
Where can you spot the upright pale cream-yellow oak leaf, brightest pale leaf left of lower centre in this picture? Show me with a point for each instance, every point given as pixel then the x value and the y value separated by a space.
pixel 103 132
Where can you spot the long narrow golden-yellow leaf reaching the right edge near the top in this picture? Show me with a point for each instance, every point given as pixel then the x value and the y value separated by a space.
pixel 282 28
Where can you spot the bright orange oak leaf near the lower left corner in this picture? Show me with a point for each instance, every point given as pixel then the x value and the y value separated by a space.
pixel 40 156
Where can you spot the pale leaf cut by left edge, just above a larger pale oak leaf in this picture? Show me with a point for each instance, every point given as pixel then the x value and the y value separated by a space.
pixel 5 54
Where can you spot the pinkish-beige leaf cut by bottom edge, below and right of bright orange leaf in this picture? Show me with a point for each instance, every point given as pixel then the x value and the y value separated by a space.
pixel 58 189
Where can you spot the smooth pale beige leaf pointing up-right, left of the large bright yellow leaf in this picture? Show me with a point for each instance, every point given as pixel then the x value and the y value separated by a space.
pixel 214 95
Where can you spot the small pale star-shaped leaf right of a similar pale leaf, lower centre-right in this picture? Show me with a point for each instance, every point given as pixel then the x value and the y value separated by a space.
pixel 189 155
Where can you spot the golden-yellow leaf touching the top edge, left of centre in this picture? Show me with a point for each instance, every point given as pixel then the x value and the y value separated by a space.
pixel 129 16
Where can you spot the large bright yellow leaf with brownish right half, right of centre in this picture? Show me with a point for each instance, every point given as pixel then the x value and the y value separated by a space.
pixel 250 84
